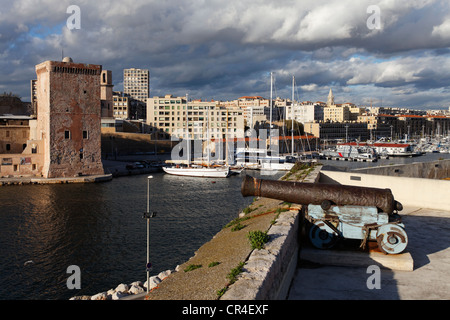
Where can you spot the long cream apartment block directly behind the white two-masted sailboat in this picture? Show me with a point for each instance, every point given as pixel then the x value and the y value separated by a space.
pixel 203 119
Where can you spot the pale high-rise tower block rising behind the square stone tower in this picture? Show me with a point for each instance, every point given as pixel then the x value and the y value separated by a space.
pixel 136 84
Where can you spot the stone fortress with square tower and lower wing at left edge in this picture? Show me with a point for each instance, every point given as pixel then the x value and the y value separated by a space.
pixel 63 137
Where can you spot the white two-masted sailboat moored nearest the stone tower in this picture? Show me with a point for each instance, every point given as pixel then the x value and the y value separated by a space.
pixel 197 170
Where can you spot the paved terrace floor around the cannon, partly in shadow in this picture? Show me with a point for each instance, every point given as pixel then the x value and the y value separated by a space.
pixel 429 245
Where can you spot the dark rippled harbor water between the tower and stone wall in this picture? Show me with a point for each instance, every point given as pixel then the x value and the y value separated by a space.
pixel 99 227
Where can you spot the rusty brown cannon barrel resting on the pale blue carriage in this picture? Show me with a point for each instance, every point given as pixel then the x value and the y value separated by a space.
pixel 320 194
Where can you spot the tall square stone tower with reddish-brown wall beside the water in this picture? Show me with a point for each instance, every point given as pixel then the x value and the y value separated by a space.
pixel 69 118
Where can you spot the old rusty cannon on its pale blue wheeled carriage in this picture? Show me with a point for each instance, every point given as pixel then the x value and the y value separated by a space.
pixel 339 211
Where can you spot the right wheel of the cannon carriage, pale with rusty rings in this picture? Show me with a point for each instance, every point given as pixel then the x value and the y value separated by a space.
pixel 392 239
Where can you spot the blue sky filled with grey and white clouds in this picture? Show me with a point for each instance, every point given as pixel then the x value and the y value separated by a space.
pixel 390 53
